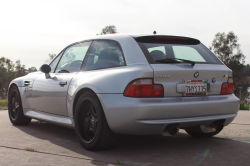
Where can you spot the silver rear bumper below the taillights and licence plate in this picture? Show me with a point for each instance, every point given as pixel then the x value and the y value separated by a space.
pixel 139 116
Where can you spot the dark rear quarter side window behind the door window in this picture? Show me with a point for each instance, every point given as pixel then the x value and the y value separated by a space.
pixel 104 54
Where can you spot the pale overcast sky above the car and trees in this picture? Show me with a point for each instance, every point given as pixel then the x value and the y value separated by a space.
pixel 32 29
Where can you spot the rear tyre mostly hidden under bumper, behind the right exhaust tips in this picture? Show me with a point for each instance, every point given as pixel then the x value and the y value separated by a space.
pixel 198 133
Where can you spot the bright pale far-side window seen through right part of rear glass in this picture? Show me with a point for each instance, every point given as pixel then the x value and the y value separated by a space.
pixel 188 53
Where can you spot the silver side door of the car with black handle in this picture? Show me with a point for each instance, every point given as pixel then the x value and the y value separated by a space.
pixel 49 96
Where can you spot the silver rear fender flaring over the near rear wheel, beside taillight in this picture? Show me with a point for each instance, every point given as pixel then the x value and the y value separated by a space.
pixel 106 81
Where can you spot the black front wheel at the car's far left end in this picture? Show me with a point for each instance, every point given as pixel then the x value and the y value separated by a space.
pixel 15 108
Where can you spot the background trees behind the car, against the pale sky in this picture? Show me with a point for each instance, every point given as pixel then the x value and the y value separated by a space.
pixel 225 46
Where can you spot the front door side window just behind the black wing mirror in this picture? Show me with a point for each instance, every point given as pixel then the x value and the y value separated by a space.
pixel 72 58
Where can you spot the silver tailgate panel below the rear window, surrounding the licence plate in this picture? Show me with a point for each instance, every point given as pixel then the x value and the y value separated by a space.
pixel 173 76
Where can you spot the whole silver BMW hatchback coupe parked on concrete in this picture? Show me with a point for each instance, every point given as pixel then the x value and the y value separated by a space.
pixel 122 84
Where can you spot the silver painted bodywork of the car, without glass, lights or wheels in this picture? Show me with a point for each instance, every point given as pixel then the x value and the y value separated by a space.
pixel 124 114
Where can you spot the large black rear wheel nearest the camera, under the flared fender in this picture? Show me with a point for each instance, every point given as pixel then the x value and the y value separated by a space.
pixel 91 125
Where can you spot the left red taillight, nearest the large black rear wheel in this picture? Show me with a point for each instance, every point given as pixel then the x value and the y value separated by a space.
pixel 143 88
